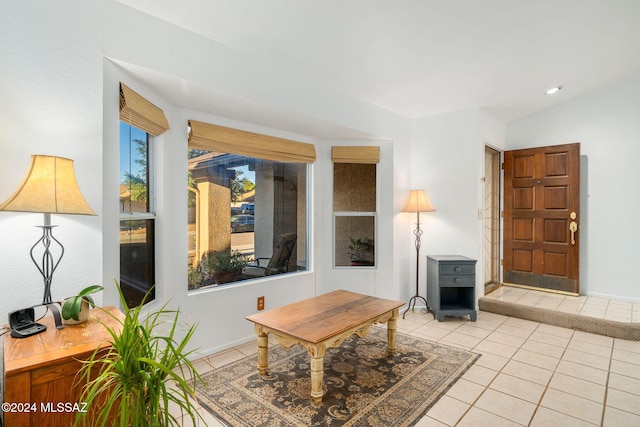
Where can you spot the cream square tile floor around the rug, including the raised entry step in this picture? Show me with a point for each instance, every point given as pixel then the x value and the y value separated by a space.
pixel 529 374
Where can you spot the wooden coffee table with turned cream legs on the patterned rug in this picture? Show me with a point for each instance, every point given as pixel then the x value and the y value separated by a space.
pixel 323 322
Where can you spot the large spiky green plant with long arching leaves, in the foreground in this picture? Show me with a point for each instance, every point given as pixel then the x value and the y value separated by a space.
pixel 144 372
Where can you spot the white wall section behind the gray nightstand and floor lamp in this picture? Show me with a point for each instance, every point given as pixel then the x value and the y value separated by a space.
pixel 447 155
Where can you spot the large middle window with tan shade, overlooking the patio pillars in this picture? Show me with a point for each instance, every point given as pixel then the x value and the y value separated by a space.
pixel 247 212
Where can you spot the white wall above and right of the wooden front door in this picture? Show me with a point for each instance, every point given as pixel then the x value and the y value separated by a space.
pixel 607 125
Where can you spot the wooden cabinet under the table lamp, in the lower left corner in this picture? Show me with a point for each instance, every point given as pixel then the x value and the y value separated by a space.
pixel 40 370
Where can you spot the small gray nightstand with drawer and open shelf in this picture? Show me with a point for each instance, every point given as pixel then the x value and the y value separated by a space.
pixel 451 284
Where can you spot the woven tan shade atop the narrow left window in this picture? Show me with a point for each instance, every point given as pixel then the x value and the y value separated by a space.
pixel 138 112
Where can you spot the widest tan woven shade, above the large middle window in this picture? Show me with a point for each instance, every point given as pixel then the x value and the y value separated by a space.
pixel 210 137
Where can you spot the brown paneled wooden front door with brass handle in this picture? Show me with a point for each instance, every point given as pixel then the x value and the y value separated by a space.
pixel 541 217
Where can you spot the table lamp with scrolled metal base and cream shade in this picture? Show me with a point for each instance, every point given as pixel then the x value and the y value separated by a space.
pixel 50 186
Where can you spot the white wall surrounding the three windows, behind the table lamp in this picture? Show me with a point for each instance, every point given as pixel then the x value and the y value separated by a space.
pixel 58 79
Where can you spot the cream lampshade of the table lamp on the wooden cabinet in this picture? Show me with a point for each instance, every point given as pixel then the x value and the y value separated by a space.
pixel 50 186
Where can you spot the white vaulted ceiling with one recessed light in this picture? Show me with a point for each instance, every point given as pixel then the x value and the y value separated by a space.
pixel 423 57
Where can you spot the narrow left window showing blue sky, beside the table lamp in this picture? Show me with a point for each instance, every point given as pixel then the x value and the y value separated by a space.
pixel 137 216
